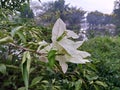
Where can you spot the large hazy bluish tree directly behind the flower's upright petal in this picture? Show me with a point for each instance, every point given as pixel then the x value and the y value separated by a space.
pixel 72 16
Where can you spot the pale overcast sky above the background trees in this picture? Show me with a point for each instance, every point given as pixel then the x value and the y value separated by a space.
pixel 105 6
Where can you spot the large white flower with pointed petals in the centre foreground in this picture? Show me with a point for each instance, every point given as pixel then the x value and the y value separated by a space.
pixel 66 47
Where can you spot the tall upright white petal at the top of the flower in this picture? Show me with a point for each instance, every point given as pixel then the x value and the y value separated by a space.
pixel 58 29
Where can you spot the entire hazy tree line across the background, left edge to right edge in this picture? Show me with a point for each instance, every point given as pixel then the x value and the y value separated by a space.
pixel 72 16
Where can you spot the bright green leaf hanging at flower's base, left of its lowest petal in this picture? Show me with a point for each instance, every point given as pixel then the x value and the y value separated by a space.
pixel 51 57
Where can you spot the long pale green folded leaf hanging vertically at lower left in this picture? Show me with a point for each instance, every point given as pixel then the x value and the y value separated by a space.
pixel 25 67
